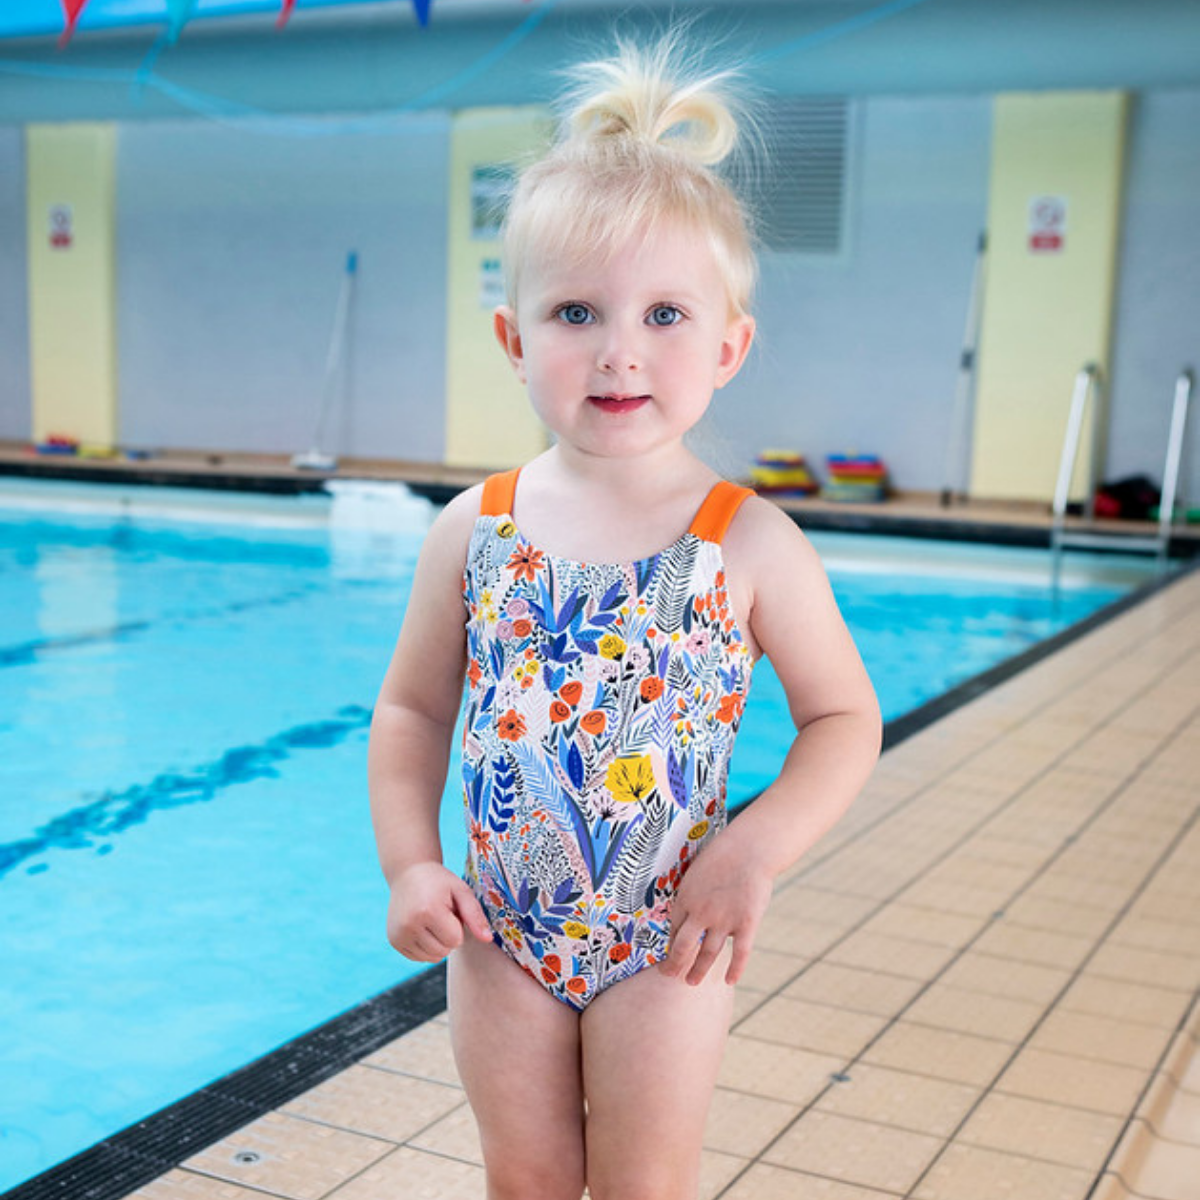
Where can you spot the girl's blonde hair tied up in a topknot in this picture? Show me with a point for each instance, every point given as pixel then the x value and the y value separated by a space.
pixel 640 139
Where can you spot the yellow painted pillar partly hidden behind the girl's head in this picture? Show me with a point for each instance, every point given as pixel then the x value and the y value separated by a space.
pixel 489 419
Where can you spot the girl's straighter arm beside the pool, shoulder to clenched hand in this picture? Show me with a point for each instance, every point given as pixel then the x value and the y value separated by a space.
pixel 410 748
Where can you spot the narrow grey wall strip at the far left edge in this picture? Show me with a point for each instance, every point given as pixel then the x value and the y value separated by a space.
pixel 16 421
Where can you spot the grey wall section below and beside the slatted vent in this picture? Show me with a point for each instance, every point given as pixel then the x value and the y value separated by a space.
pixel 862 353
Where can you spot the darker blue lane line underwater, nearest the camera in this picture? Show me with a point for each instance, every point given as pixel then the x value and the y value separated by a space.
pixel 115 813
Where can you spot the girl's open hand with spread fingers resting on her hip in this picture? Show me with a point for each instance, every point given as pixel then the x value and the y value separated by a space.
pixel 723 896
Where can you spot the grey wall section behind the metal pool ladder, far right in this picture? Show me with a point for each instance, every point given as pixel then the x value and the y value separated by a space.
pixel 1159 289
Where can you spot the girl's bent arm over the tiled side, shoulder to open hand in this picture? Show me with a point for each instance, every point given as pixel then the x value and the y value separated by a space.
pixel 795 621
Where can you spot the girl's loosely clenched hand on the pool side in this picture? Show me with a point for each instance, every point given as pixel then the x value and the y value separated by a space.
pixel 430 913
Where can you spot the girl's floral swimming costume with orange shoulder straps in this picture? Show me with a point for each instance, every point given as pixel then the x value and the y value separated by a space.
pixel 603 706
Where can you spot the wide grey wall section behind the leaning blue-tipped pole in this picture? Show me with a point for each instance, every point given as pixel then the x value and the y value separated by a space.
pixel 232 250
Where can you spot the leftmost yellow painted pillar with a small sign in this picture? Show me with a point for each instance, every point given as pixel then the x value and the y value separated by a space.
pixel 71 172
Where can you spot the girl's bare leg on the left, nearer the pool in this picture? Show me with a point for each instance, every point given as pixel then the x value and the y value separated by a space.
pixel 519 1055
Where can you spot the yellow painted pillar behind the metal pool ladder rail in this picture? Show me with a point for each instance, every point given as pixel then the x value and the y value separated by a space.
pixel 1054 218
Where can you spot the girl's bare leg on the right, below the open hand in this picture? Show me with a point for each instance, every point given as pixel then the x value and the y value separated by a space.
pixel 652 1049
